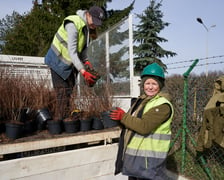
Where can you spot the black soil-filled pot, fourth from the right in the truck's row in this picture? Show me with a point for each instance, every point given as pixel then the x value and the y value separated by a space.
pixel 71 125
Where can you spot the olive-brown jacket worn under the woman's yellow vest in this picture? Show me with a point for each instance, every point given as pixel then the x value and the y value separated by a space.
pixel 132 123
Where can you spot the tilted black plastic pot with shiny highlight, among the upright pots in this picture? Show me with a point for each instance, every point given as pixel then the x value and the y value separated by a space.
pixel 42 116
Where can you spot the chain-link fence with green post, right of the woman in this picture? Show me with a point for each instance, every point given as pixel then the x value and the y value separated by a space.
pixel 183 157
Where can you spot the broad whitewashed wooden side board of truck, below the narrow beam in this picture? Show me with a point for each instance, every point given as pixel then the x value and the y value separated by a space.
pixel 76 164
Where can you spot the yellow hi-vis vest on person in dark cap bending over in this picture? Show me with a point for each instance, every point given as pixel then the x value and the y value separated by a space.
pixel 59 44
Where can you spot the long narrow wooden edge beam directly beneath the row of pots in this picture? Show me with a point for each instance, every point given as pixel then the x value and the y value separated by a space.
pixel 60 141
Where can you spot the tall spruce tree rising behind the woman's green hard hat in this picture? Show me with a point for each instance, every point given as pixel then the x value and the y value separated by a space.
pixel 146 36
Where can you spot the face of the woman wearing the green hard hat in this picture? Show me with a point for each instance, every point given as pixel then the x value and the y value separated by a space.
pixel 151 87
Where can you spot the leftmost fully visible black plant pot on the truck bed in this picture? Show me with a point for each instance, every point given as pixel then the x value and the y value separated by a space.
pixel 13 130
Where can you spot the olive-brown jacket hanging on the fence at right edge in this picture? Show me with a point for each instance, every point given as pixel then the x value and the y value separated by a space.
pixel 212 129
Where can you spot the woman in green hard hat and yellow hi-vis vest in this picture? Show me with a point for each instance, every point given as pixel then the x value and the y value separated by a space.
pixel 146 133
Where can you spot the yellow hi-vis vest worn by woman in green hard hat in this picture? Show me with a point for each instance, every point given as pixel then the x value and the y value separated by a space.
pixel 156 144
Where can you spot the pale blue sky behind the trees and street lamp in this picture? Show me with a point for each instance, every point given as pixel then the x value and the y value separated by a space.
pixel 188 38
